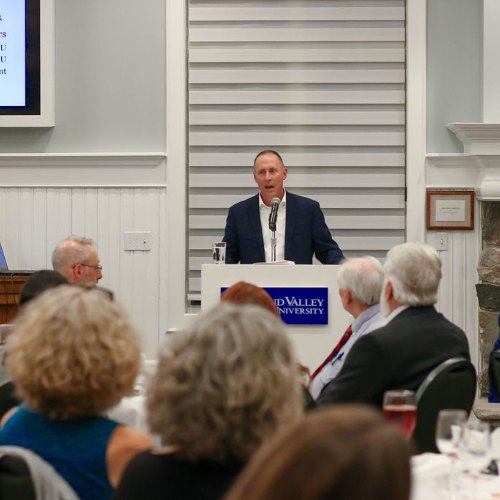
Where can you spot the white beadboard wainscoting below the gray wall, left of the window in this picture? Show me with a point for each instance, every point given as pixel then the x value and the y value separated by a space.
pixel 39 210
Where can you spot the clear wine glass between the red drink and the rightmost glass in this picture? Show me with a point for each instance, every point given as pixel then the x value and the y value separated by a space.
pixel 448 435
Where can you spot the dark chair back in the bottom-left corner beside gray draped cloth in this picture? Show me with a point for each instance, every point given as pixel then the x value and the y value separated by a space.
pixel 15 479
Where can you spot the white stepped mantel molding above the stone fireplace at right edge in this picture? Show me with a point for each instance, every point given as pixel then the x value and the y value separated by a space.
pixel 478 138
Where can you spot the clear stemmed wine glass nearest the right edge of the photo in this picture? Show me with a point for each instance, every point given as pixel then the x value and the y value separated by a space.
pixel 474 449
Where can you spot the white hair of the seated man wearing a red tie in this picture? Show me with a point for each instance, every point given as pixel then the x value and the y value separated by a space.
pixel 362 277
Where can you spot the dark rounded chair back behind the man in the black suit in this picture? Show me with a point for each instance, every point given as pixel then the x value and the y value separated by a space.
pixel 451 385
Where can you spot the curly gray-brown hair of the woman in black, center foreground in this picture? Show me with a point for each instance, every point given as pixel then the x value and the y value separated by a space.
pixel 225 384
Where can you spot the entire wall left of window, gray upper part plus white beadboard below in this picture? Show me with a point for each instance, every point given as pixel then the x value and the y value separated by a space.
pixel 102 169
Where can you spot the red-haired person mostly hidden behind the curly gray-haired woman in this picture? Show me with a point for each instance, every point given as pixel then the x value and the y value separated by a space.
pixel 244 293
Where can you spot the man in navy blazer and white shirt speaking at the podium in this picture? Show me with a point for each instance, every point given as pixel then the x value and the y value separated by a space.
pixel 300 228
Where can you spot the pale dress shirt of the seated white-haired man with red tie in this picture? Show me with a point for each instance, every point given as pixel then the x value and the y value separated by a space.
pixel 370 319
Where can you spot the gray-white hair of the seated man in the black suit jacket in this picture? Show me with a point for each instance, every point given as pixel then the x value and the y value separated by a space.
pixel 414 269
